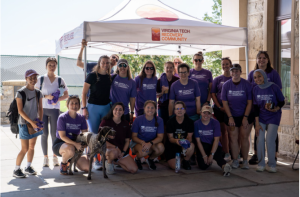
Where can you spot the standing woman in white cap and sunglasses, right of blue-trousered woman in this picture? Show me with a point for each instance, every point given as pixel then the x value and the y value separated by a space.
pixel 123 88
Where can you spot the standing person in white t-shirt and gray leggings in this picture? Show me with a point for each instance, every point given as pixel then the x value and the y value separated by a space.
pixel 49 83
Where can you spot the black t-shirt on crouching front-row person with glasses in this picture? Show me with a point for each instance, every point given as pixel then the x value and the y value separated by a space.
pixel 179 131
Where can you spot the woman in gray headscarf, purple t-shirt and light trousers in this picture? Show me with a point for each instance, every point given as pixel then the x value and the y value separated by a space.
pixel 268 100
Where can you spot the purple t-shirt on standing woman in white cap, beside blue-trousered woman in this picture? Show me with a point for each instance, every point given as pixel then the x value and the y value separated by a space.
pixel 122 90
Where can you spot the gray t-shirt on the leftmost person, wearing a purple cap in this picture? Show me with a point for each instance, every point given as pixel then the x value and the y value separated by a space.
pixel 30 107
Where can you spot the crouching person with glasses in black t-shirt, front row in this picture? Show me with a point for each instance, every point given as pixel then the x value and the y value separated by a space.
pixel 179 127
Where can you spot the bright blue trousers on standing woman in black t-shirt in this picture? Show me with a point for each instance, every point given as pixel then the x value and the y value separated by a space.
pixel 96 113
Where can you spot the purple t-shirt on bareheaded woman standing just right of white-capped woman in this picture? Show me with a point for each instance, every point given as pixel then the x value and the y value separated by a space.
pixel 146 91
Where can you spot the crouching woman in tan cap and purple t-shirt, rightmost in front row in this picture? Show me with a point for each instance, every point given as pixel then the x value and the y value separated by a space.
pixel 207 133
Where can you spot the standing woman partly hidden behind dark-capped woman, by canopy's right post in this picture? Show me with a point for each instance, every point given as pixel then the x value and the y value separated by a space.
pixel 219 111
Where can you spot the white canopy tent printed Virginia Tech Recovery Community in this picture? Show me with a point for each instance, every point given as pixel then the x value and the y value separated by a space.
pixel 153 28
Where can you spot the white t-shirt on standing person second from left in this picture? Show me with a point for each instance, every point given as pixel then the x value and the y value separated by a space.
pixel 49 88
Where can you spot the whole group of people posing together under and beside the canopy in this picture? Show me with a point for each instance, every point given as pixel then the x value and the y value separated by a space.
pixel 169 110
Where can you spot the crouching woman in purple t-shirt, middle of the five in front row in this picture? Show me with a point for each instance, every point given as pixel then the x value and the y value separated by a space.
pixel 147 136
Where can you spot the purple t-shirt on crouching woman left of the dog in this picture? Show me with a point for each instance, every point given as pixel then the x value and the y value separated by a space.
pixel 71 126
